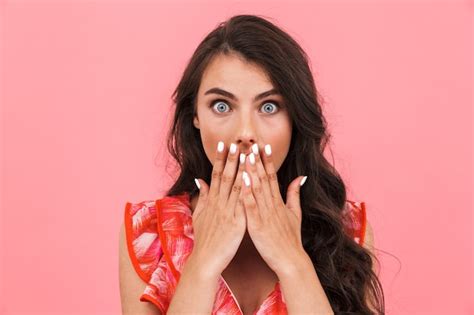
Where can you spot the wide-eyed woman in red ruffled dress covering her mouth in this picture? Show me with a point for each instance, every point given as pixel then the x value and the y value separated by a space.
pixel 255 240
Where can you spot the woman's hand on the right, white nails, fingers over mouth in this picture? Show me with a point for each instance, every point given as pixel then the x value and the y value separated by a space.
pixel 273 226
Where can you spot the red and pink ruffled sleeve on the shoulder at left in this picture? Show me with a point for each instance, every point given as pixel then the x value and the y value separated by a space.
pixel 146 251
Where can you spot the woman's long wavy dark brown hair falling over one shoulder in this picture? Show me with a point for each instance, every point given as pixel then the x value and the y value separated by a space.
pixel 343 266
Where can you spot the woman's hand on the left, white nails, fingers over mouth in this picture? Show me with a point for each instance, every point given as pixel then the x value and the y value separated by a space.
pixel 219 221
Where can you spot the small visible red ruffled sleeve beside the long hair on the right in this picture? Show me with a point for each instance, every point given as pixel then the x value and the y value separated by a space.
pixel 354 217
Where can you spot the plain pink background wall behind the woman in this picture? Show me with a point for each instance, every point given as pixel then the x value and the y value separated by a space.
pixel 86 93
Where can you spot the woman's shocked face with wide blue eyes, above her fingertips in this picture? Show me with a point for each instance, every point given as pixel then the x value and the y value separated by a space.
pixel 243 120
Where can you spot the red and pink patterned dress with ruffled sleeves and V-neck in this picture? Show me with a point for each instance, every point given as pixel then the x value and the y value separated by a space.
pixel 160 237
